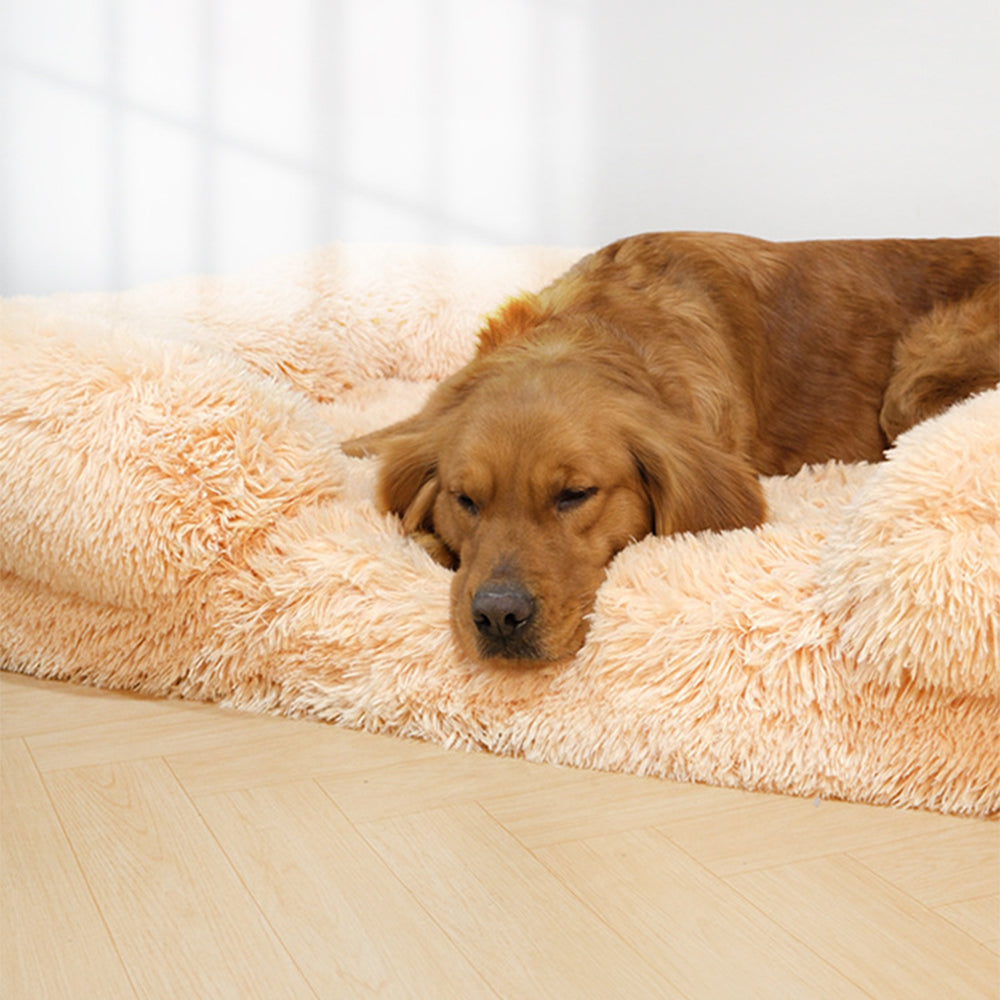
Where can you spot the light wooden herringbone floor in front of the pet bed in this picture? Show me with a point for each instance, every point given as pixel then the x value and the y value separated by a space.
pixel 175 850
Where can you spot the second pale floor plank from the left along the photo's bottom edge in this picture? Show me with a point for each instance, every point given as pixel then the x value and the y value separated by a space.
pixel 183 922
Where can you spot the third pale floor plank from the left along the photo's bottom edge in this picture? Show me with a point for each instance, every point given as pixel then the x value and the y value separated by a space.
pixel 351 926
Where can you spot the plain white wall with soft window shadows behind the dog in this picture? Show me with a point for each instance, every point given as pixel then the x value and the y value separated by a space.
pixel 149 138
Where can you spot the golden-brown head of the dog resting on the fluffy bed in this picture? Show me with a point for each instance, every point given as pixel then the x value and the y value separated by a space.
pixel 527 472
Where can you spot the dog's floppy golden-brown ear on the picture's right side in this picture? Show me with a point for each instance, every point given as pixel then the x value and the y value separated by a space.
pixel 692 484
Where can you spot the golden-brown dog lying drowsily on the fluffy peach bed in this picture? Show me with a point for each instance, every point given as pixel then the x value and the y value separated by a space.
pixel 647 389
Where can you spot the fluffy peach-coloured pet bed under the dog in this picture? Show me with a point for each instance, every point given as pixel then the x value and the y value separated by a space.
pixel 176 519
